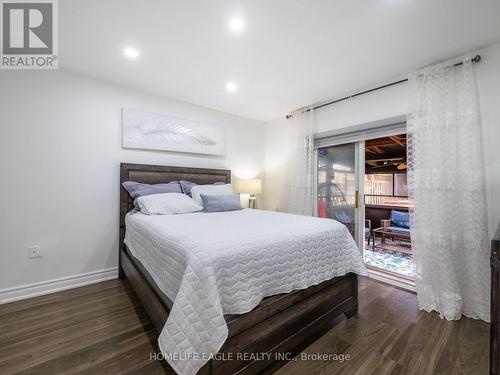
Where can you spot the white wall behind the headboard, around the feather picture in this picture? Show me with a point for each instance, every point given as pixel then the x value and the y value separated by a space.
pixel 60 150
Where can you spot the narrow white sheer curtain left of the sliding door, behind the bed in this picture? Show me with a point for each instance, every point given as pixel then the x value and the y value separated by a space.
pixel 301 172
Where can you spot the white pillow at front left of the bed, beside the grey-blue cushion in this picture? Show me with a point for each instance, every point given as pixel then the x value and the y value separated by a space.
pixel 167 204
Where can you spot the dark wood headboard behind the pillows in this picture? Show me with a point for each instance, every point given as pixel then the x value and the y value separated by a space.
pixel 155 174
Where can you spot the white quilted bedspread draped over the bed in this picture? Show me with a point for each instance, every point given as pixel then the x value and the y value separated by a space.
pixel 211 264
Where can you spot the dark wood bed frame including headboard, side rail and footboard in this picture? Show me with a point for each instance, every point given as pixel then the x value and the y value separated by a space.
pixel 281 325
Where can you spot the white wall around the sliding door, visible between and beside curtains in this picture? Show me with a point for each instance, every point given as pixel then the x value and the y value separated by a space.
pixel 387 103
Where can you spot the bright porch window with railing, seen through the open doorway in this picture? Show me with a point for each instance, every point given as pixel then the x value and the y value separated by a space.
pixel 386 189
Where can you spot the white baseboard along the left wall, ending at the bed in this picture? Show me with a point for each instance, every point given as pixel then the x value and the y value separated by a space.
pixel 56 285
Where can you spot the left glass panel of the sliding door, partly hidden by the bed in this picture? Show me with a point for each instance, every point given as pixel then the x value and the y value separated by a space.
pixel 338 186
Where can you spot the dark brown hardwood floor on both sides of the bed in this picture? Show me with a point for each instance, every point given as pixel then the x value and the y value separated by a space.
pixel 102 329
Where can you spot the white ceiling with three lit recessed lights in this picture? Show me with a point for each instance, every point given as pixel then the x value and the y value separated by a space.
pixel 292 53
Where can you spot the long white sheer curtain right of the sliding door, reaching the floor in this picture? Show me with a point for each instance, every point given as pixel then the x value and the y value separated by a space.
pixel 447 185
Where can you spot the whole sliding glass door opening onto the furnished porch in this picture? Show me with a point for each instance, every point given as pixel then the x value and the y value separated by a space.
pixel 361 182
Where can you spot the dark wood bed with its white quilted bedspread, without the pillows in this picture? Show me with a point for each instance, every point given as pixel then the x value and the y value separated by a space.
pixel 233 292
